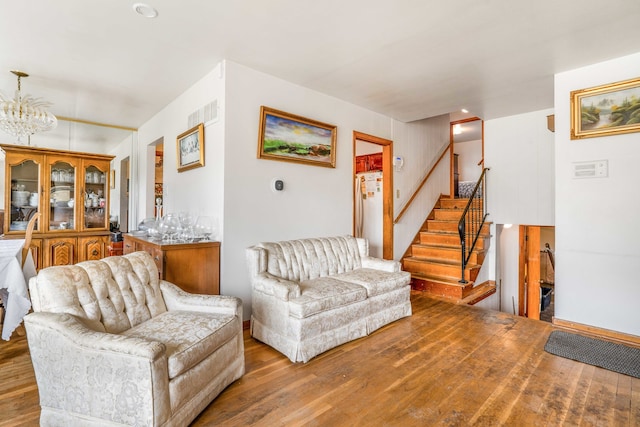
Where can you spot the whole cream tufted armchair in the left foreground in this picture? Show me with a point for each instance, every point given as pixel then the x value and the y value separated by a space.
pixel 111 344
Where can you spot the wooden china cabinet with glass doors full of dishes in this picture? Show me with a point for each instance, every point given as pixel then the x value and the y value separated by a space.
pixel 71 192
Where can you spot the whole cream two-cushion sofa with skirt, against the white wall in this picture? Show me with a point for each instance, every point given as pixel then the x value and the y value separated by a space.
pixel 310 295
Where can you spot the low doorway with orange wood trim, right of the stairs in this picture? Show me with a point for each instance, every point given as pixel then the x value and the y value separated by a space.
pixel 536 272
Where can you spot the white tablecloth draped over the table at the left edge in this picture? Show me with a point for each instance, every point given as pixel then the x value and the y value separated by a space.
pixel 13 284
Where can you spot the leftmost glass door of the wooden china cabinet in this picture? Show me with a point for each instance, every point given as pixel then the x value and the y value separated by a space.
pixel 26 188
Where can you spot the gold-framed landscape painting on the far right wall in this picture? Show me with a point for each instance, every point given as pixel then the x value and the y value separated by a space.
pixel 606 110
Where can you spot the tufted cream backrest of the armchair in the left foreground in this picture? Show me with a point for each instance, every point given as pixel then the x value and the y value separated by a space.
pixel 110 295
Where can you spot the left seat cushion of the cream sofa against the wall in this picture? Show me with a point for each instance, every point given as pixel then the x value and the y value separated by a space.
pixel 322 294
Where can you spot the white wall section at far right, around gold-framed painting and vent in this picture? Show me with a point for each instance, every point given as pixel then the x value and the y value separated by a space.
pixel 597 233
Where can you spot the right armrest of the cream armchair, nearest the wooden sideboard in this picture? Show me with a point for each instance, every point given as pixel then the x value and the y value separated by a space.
pixel 177 299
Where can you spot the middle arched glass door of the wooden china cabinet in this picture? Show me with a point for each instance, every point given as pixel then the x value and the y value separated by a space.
pixel 62 174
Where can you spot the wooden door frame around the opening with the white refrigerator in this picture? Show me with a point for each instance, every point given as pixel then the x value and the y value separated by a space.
pixel 387 189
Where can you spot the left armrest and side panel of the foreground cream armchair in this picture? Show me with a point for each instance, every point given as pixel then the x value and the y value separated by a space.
pixel 71 360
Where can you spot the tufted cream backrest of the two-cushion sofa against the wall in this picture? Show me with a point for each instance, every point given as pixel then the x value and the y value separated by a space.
pixel 305 259
